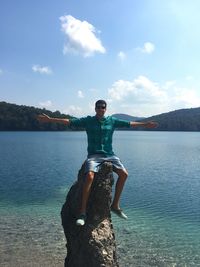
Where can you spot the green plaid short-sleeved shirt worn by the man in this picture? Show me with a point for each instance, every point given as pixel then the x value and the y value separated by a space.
pixel 99 132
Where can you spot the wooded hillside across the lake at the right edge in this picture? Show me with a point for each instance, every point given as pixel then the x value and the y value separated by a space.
pixel 178 120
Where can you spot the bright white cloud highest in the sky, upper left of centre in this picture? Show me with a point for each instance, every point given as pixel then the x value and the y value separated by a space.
pixel 80 37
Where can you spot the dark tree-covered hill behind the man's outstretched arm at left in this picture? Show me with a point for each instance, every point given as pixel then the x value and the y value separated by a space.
pixel 24 118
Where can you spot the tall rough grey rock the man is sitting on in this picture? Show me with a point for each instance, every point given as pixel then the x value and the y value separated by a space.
pixel 91 245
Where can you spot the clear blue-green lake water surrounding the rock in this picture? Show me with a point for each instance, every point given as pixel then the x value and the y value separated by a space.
pixel 161 197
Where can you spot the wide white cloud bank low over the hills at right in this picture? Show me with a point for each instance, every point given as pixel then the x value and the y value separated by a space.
pixel 143 97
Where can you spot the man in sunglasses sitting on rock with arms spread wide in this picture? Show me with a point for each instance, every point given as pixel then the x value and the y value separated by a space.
pixel 99 131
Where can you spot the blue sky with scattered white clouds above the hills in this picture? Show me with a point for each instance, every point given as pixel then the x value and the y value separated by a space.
pixel 142 57
